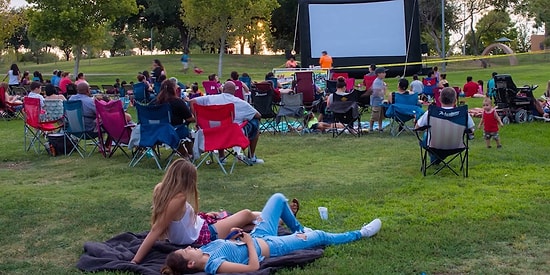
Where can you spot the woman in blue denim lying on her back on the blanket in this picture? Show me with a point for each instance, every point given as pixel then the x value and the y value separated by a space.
pixel 244 252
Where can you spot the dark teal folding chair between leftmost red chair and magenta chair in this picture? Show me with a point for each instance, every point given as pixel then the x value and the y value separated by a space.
pixel 75 129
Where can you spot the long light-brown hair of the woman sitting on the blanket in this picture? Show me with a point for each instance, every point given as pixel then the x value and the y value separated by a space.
pixel 181 177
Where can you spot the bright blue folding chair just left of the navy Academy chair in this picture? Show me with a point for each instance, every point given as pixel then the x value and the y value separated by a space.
pixel 403 113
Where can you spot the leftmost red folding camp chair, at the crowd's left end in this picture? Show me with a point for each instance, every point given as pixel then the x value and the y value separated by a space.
pixel 34 128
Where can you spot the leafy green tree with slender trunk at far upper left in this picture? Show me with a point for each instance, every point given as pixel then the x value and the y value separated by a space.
pixel 75 24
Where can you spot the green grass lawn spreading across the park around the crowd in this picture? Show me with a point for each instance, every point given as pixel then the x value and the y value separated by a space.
pixel 494 222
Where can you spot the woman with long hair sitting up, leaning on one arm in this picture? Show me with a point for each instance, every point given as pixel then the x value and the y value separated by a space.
pixel 174 217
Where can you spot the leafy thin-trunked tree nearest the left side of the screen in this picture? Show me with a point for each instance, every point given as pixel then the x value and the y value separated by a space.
pixel 216 21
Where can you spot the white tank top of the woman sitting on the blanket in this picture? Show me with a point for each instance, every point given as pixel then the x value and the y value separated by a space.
pixel 184 231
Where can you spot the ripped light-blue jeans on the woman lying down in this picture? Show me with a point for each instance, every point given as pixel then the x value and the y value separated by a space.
pixel 277 207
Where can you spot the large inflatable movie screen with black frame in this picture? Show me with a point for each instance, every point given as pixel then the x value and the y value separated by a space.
pixel 358 33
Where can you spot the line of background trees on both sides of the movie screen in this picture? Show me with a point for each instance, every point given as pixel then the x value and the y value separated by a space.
pixel 88 27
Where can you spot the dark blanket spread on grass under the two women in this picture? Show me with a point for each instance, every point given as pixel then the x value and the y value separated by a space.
pixel 116 254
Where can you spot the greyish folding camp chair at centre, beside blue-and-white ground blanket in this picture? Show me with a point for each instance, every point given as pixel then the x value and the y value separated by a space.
pixel 291 113
